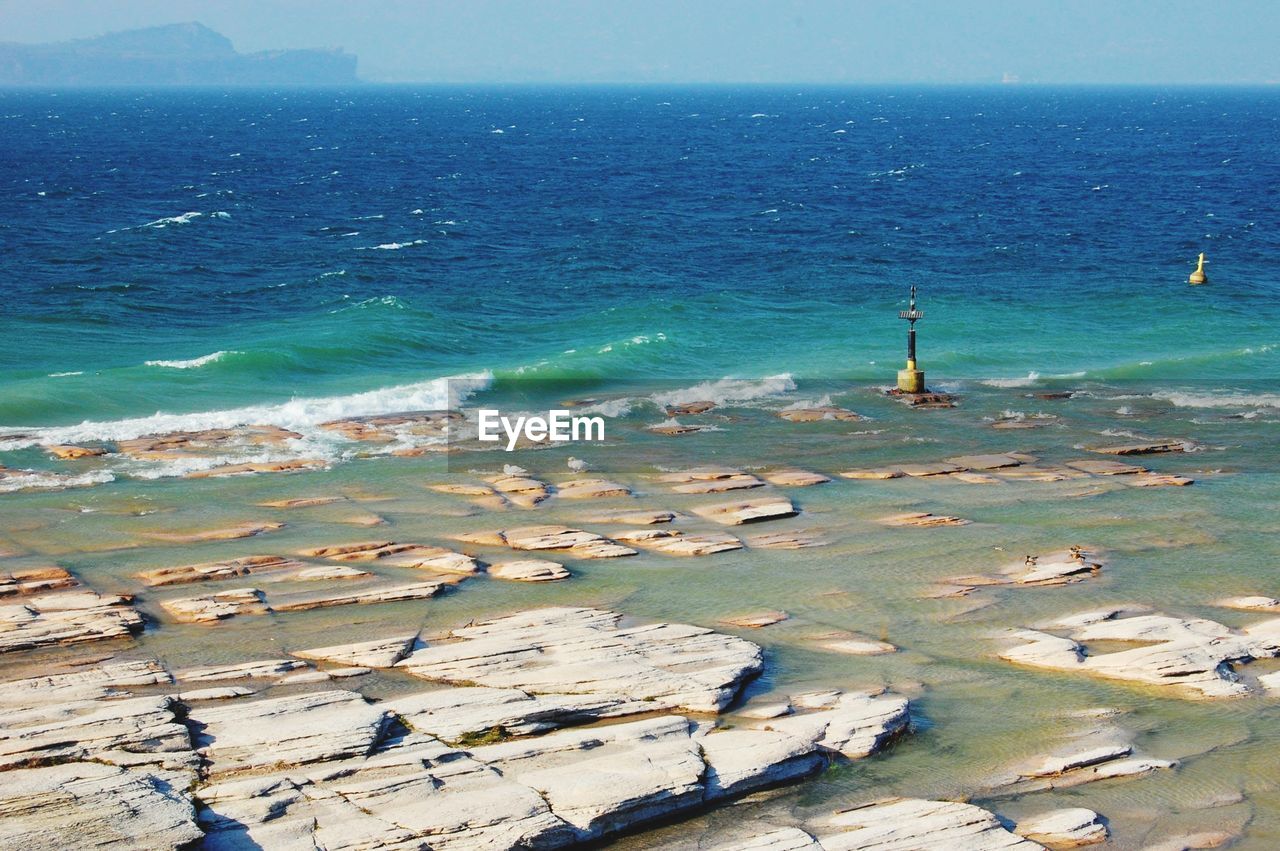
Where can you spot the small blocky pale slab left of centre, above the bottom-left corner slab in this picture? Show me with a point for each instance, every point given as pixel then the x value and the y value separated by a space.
pixel 292 731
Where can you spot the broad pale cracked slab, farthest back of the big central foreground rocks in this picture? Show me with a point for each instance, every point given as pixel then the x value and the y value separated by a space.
pixel 570 651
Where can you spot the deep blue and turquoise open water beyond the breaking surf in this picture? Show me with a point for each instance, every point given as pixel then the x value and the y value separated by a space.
pixel 336 243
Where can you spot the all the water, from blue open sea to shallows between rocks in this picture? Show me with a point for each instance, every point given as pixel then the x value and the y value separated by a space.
pixel 191 260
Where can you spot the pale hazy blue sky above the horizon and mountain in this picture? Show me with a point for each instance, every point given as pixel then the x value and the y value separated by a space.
pixel 962 42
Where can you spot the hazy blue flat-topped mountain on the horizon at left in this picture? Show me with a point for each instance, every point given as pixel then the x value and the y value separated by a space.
pixel 182 54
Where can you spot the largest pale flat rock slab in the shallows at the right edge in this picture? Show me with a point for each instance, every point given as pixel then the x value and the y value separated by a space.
pixel 1188 656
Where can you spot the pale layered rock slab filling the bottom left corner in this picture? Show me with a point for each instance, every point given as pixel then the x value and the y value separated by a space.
pixel 84 806
